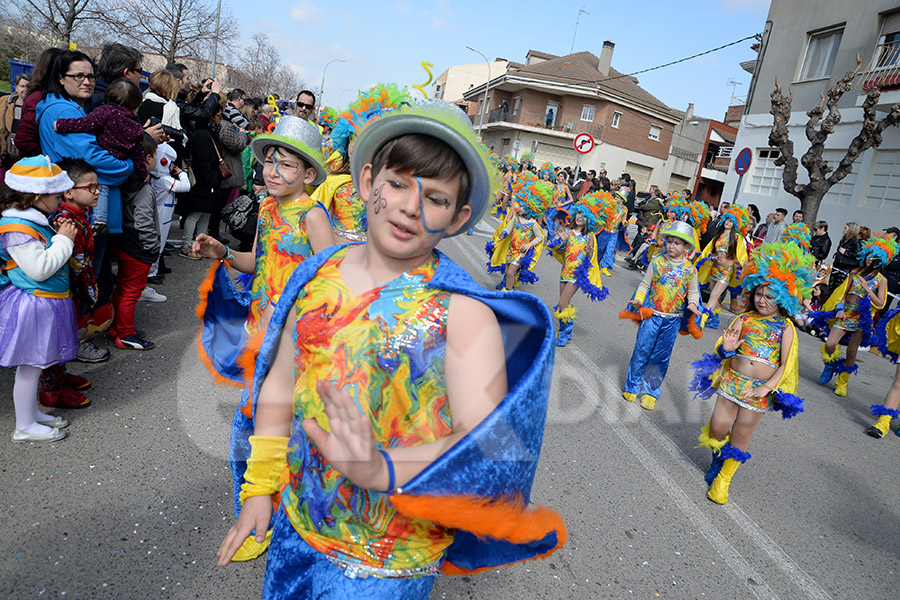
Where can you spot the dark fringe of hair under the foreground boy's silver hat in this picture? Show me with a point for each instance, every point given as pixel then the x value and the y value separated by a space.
pixel 424 156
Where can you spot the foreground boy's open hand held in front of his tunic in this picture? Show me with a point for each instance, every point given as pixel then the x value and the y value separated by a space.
pixel 350 446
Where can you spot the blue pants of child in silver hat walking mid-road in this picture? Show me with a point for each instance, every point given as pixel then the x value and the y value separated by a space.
pixel 652 351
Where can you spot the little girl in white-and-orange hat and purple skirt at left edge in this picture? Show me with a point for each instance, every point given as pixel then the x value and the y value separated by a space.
pixel 37 317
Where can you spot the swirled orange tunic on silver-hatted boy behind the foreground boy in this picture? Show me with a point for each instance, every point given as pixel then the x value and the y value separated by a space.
pixel 281 244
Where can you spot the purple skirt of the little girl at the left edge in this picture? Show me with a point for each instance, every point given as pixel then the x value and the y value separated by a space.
pixel 36 331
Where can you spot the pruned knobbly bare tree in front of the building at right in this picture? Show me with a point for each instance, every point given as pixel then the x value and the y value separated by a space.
pixel 817 132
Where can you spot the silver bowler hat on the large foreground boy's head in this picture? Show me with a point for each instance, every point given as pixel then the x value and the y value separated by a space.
pixel 441 120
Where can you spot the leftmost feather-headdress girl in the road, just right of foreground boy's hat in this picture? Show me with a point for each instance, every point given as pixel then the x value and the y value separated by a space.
pixel 517 244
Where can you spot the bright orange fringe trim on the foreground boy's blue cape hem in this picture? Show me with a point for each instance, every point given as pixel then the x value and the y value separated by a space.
pixel 499 519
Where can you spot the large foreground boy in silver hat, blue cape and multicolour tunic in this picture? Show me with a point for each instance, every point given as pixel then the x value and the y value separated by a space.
pixel 393 356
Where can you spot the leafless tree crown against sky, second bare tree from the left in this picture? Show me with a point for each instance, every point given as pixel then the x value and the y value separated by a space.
pixel 169 27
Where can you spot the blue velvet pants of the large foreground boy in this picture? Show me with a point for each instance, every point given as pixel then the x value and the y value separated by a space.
pixel 295 571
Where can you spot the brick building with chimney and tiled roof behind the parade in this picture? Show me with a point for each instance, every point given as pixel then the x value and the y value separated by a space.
pixel 549 99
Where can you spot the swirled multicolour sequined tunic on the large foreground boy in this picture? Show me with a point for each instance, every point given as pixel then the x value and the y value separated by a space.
pixel 386 348
